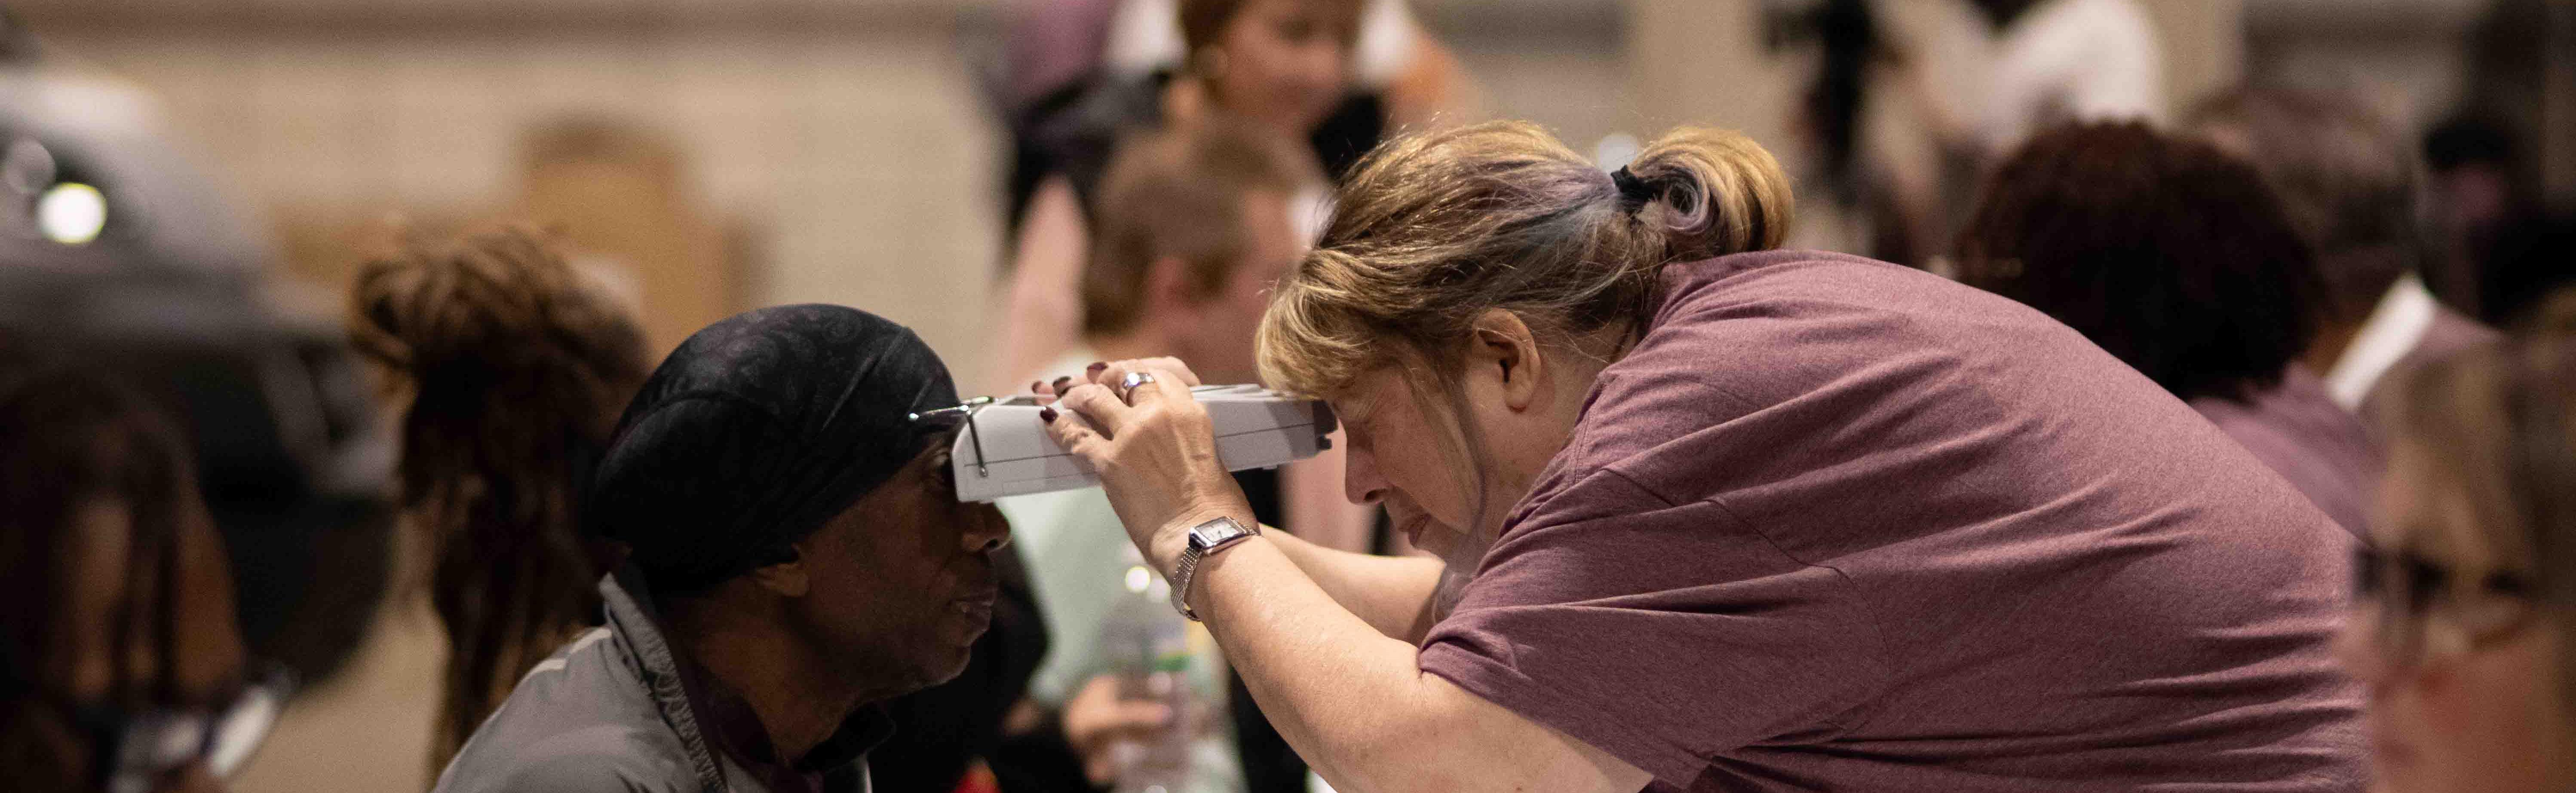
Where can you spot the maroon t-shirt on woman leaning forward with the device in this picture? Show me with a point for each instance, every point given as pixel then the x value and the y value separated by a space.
pixel 1848 527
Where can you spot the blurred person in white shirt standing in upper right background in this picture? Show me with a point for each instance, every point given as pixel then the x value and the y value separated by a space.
pixel 1915 99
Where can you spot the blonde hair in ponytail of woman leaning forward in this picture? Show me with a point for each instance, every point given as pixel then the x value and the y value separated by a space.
pixel 1434 230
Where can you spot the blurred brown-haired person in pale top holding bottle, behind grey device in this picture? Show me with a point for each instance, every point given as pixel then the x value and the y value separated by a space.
pixel 1191 233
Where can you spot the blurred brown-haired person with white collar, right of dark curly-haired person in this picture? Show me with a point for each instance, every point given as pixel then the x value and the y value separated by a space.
pixel 2348 182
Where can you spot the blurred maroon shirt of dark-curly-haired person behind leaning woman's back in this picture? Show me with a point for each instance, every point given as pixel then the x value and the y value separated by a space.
pixel 2307 439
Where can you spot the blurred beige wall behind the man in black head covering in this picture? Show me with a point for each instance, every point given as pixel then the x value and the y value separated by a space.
pixel 854 145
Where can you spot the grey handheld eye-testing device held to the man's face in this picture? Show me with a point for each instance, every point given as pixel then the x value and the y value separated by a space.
pixel 1006 452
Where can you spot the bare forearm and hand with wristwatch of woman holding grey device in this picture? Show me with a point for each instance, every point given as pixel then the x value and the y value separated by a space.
pixel 1349 699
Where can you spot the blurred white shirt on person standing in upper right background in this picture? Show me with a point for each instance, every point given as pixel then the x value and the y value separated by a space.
pixel 2072 61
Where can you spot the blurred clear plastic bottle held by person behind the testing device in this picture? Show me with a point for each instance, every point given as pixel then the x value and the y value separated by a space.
pixel 1150 653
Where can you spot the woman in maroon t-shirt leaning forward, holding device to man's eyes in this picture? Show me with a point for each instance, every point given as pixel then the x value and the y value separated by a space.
pixel 1725 519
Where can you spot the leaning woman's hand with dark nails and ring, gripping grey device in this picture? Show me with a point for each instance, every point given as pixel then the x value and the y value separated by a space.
pixel 1155 452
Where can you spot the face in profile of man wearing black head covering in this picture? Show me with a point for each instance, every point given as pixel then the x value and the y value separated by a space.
pixel 903 581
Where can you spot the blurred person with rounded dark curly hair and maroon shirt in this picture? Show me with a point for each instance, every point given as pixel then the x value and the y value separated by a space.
pixel 2181 261
